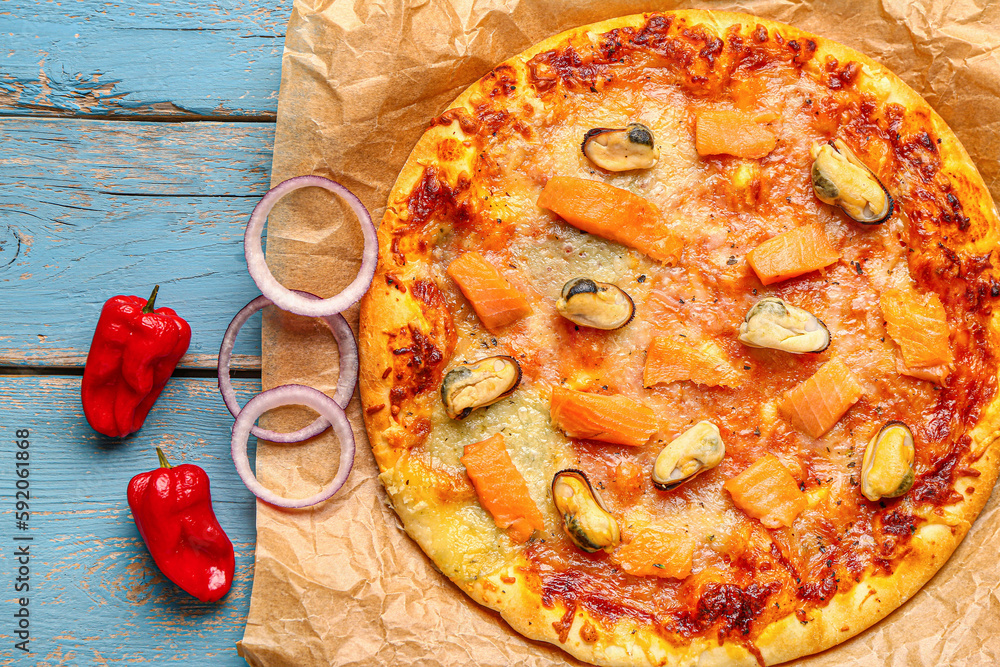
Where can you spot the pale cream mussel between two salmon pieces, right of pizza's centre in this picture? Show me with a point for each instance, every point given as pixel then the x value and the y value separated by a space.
pixel 775 324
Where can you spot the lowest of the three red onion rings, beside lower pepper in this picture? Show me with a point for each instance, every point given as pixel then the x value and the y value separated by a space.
pixel 292 394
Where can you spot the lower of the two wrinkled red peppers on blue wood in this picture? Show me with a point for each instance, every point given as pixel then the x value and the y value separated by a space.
pixel 172 508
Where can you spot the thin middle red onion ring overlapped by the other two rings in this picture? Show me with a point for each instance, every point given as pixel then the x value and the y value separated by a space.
pixel 346 381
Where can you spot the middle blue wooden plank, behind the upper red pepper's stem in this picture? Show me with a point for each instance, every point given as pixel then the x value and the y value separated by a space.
pixel 90 209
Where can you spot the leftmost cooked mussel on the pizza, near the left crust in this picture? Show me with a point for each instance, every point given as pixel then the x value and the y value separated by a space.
pixel 478 384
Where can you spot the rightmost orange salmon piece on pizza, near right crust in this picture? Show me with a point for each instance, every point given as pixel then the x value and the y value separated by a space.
pixel 919 326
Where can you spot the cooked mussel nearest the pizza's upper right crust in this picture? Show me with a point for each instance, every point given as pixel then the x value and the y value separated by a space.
pixel 840 178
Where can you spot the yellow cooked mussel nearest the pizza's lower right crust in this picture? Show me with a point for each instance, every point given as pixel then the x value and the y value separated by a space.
pixel 887 469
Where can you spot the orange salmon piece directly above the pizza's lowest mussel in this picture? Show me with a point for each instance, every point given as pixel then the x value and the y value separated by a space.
pixel 614 419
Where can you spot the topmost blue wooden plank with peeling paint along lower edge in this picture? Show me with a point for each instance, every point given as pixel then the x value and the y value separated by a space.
pixel 179 60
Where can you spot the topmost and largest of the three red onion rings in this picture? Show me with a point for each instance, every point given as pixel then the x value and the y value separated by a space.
pixel 280 295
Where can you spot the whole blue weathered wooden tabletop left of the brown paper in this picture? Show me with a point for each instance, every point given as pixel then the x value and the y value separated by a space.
pixel 134 141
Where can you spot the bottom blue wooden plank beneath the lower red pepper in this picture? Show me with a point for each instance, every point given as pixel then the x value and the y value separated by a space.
pixel 96 597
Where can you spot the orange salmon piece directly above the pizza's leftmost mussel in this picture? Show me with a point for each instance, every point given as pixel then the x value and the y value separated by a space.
pixel 496 303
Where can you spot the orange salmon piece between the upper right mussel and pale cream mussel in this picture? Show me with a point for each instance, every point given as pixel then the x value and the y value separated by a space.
pixel 791 254
